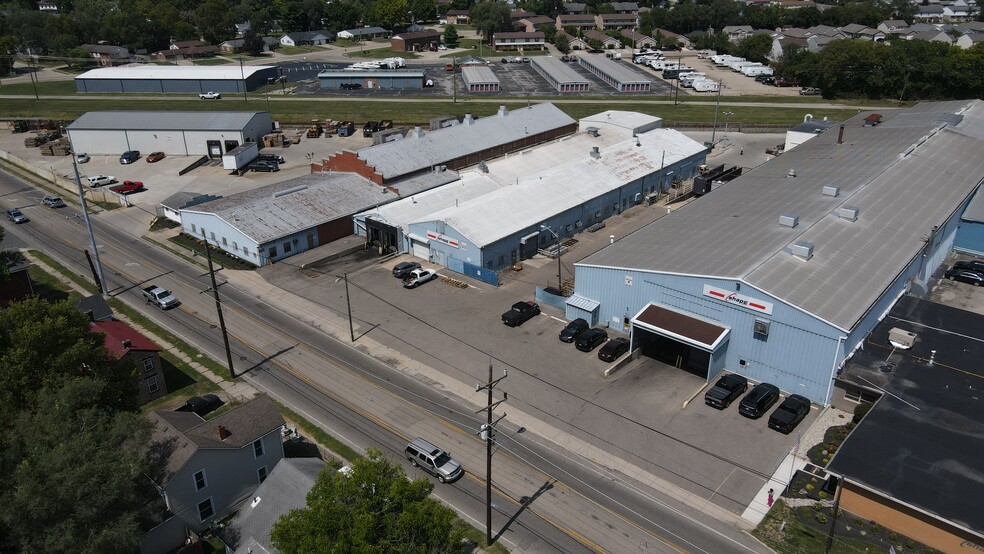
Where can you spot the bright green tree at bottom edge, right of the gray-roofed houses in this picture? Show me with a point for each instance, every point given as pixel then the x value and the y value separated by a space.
pixel 374 509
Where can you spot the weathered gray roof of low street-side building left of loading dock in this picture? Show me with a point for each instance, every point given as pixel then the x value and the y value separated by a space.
pixel 321 197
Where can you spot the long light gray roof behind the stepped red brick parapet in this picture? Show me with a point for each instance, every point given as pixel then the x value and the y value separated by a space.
pixel 397 158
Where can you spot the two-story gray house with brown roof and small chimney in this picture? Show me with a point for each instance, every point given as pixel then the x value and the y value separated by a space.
pixel 213 466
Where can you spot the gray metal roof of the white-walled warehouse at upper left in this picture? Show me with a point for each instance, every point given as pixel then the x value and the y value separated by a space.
pixel 162 121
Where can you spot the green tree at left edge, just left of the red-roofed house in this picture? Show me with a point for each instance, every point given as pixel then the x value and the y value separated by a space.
pixel 43 343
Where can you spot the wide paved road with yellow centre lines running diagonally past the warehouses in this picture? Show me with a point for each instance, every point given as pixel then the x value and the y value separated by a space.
pixel 363 401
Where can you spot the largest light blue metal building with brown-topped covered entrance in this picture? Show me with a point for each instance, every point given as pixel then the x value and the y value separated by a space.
pixel 791 270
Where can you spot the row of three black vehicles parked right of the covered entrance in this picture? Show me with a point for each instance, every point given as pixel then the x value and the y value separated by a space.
pixel 755 403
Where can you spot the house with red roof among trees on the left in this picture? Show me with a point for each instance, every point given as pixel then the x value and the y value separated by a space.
pixel 133 349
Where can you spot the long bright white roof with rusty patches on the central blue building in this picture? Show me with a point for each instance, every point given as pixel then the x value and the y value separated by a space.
pixel 565 186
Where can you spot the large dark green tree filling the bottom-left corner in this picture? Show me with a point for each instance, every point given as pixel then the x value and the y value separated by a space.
pixel 72 474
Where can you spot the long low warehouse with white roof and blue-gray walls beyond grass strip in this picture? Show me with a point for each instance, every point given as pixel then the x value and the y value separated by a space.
pixel 175 79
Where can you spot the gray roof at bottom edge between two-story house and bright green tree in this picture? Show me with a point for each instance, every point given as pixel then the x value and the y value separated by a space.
pixel 285 489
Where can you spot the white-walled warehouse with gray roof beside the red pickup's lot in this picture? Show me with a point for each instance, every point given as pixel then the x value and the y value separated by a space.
pixel 174 133
